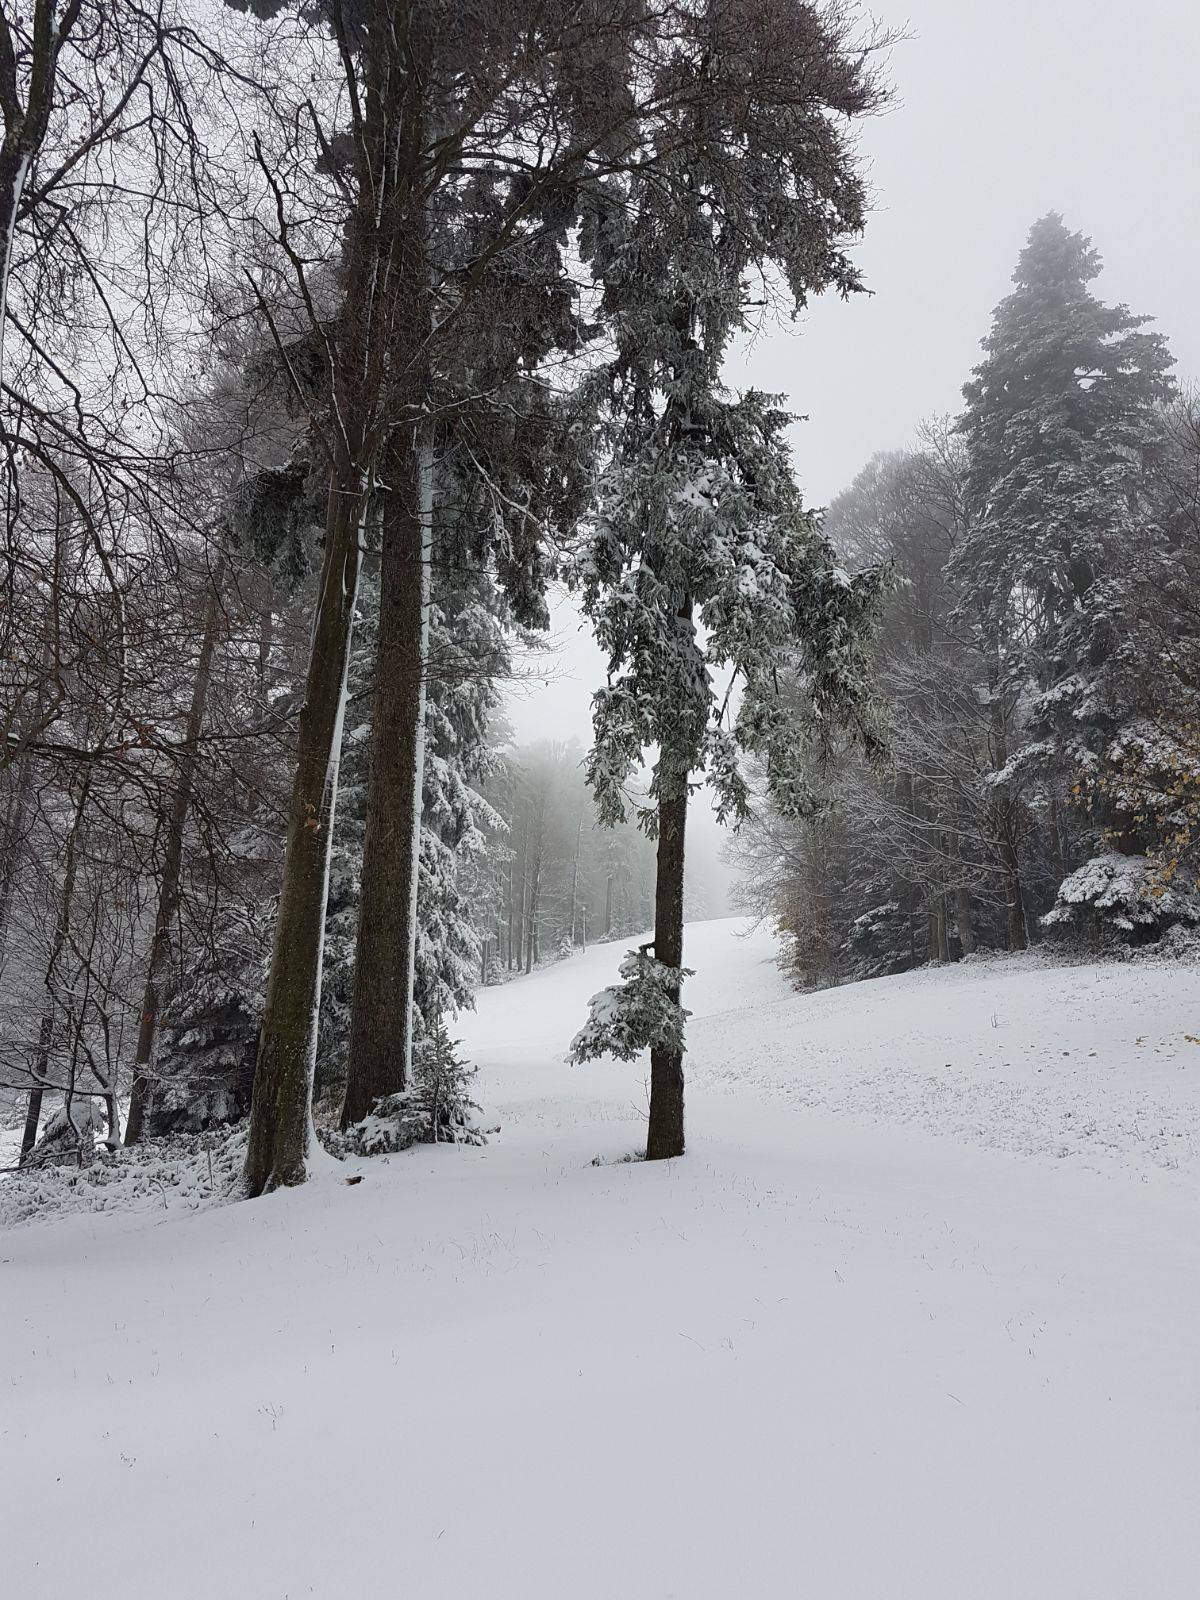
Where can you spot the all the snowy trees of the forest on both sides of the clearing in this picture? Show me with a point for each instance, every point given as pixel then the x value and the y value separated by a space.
pixel 334 337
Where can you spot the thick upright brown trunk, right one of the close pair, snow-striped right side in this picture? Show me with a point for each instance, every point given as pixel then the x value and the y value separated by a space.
pixel 382 1028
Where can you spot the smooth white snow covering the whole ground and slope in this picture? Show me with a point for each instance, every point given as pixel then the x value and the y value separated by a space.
pixel 918 1316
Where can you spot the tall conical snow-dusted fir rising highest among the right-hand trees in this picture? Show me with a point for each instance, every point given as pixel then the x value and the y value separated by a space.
pixel 1063 425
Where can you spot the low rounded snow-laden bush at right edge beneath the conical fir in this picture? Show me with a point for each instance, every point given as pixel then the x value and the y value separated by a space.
pixel 1126 897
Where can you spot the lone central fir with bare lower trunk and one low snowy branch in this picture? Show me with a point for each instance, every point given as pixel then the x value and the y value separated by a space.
pixel 702 561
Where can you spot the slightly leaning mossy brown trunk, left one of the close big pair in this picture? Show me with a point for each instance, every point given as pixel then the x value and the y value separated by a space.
pixel 281 1118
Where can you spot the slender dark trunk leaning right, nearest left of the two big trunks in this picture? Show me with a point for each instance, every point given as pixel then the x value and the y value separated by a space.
pixel 174 855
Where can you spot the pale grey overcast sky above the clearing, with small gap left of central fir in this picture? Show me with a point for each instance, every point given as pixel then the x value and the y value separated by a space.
pixel 1002 113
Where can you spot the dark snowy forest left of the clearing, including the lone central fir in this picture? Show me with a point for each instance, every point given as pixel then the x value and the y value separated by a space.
pixel 334 337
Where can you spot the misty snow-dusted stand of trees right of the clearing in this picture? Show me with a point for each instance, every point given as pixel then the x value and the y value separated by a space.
pixel 1039 660
